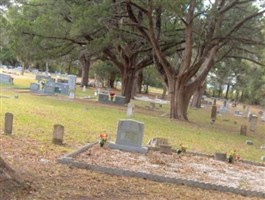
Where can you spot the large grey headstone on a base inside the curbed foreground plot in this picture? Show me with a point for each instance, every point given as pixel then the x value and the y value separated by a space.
pixel 129 136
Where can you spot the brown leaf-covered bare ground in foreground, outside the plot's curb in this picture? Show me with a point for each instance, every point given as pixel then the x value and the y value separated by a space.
pixel 50 180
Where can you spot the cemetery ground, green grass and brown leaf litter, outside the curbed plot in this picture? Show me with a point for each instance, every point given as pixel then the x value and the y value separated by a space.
pixel 30 151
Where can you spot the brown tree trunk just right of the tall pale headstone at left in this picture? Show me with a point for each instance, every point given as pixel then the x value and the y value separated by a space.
pixel 85 62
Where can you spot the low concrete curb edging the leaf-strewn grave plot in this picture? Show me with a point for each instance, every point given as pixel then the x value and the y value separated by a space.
pixel 68 159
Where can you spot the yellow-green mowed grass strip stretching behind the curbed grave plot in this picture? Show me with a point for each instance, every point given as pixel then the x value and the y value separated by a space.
pixel 34 117
